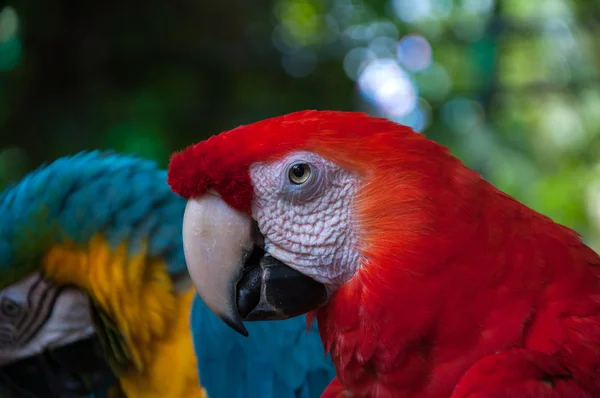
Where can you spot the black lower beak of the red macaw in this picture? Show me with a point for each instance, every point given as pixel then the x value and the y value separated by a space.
pixel 271 290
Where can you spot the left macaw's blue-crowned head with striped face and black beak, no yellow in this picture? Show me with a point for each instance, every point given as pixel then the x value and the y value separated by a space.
pixel 49 335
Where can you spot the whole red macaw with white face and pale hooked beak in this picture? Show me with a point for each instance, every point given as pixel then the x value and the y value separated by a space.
pixel 431 282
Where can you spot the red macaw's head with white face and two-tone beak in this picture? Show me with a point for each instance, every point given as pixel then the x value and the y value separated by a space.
pixel 283 213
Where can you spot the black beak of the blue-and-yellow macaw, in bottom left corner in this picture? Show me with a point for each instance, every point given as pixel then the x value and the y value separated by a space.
pixel 76 370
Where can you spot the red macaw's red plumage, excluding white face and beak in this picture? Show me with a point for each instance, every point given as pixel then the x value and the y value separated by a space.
pixel 464 292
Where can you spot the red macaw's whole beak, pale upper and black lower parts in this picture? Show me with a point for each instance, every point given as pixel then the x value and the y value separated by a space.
pixel 233 275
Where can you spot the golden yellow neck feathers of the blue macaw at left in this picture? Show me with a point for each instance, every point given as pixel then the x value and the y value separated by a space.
pixel 137 294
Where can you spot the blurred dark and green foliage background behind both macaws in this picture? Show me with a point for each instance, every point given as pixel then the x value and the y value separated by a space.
pixel 511 86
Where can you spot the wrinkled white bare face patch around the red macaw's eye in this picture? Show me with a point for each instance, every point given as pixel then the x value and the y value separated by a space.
pixel 307 224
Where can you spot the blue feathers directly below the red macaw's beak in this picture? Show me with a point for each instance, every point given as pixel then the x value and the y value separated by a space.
pixel 277 360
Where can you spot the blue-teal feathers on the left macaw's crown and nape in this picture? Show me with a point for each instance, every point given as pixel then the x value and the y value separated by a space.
pixel 124 198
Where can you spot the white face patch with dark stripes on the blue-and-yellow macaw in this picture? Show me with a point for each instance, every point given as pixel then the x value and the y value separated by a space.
pixel 36 314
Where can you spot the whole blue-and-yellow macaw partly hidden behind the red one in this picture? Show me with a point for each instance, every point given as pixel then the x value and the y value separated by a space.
pixel 95 295
